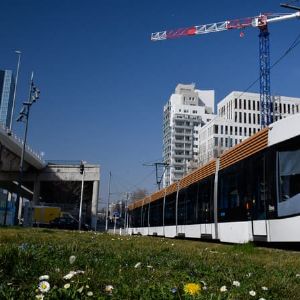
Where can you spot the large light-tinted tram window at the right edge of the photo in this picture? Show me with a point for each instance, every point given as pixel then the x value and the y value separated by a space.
pixel 289 182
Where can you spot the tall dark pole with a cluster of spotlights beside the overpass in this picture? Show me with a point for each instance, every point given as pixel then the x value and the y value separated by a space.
pixel 34 94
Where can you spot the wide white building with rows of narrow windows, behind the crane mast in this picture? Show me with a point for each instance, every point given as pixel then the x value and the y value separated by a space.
pixel 238 118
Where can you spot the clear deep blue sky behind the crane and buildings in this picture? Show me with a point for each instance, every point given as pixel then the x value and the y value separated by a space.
pixel 104 83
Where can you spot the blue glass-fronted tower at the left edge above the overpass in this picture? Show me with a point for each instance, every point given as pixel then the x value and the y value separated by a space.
pixel 7 85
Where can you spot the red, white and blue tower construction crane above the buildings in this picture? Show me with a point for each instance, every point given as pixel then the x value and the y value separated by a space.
pixel 261 22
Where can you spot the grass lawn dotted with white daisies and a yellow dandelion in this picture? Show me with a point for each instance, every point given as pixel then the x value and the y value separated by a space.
pixel 134 267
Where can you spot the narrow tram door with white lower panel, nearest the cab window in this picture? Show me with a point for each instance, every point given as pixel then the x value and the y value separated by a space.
pixel 259 222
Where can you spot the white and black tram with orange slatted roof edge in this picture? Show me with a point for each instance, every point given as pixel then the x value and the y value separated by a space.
pixel 250 193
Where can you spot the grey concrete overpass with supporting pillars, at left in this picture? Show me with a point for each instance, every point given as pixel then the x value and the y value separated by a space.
pixel 48 183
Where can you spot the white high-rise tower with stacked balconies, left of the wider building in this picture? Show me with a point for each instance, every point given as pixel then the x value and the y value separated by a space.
pixel 186 109
